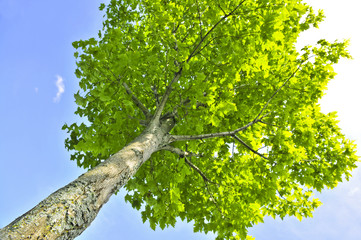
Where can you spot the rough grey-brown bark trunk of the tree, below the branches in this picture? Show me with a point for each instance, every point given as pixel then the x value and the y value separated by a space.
pixel 66 213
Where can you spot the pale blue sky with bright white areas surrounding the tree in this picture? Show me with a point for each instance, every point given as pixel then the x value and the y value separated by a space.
pixel 36 98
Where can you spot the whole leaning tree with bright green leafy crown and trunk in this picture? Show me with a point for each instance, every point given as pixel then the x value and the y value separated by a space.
pixel 219 100
